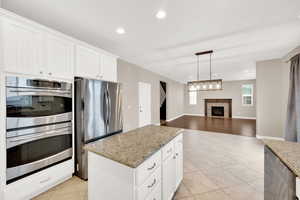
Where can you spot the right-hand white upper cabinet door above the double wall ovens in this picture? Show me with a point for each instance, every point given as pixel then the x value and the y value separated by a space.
pixel 59 57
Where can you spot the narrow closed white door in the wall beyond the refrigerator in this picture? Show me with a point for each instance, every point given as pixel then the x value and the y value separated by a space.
pixel 144 104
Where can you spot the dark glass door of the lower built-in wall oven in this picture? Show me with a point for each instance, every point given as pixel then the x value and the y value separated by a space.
pixel 29 157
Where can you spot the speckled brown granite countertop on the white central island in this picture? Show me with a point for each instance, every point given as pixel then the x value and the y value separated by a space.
pixel 134 147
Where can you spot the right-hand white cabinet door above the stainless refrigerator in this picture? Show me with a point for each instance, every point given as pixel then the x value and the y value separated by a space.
pixel 109 68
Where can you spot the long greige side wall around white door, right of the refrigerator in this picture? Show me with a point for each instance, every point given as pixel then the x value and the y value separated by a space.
pixel 129 75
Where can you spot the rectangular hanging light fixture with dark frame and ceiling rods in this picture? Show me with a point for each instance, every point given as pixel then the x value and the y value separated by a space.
pixel 205 85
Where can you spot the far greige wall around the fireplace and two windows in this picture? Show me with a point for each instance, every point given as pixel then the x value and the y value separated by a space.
pixel 231 90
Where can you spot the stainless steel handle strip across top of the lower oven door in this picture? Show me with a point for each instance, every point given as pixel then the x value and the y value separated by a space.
pixel 12 142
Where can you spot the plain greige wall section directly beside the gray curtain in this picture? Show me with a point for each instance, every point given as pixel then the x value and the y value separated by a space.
pixel 272 83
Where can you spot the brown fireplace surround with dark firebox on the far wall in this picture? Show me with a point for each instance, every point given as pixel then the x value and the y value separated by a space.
pixel 218 108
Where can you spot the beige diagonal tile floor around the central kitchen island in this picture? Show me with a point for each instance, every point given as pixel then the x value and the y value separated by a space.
pixel 216 167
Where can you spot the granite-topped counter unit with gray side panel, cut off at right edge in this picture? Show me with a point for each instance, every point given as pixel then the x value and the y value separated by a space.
pixel 282 170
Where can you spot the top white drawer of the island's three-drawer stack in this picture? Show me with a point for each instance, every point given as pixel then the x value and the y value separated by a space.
pixel 148 167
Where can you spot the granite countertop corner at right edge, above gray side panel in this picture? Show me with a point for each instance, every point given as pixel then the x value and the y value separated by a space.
pixel 287 152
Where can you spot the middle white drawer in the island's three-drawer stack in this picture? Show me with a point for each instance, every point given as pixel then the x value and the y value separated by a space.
pixel 149 185
